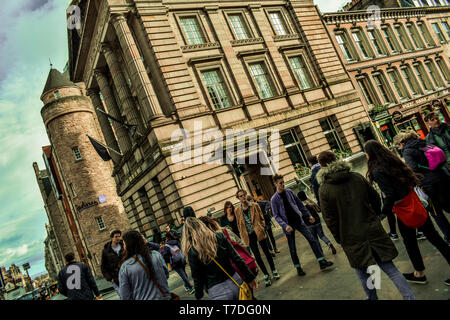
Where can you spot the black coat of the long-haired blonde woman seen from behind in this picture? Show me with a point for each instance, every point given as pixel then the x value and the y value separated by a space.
pixel 208 275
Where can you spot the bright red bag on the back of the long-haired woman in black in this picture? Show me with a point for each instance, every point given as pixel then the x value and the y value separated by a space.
pixel 411 211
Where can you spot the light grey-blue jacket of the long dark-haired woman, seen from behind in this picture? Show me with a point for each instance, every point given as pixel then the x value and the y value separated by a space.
pixel 135 284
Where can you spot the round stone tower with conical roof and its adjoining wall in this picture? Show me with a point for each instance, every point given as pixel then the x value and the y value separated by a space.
pixel 82 205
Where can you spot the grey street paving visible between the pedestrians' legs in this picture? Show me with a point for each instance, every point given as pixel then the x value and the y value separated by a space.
pixel 339 283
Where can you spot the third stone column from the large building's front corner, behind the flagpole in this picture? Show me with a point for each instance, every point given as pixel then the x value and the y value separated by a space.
pixel 123 137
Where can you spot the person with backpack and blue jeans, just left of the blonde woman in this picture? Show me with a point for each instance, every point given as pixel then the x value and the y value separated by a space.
pixel 172 254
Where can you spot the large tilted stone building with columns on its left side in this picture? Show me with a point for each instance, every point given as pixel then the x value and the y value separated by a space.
pixel 165 65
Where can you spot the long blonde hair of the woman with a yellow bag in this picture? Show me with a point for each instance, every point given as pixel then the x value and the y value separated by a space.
pixel 198 236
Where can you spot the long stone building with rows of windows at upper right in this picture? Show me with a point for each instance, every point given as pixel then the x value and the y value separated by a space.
pixel 397 63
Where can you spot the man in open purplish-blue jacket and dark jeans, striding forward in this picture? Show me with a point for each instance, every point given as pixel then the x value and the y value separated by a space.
pixel 286 208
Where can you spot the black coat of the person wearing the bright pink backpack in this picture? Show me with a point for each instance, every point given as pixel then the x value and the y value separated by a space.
pixel 415 158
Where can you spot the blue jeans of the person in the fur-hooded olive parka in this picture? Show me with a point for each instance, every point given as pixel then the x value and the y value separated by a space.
pixel 394 274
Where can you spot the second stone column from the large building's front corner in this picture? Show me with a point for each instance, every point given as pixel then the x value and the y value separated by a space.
pixel 126 100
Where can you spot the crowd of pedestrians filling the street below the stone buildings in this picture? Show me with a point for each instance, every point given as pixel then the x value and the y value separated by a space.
pixel 224 253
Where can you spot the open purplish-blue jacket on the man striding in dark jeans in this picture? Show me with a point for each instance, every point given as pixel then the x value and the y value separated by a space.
pixel 279 212
